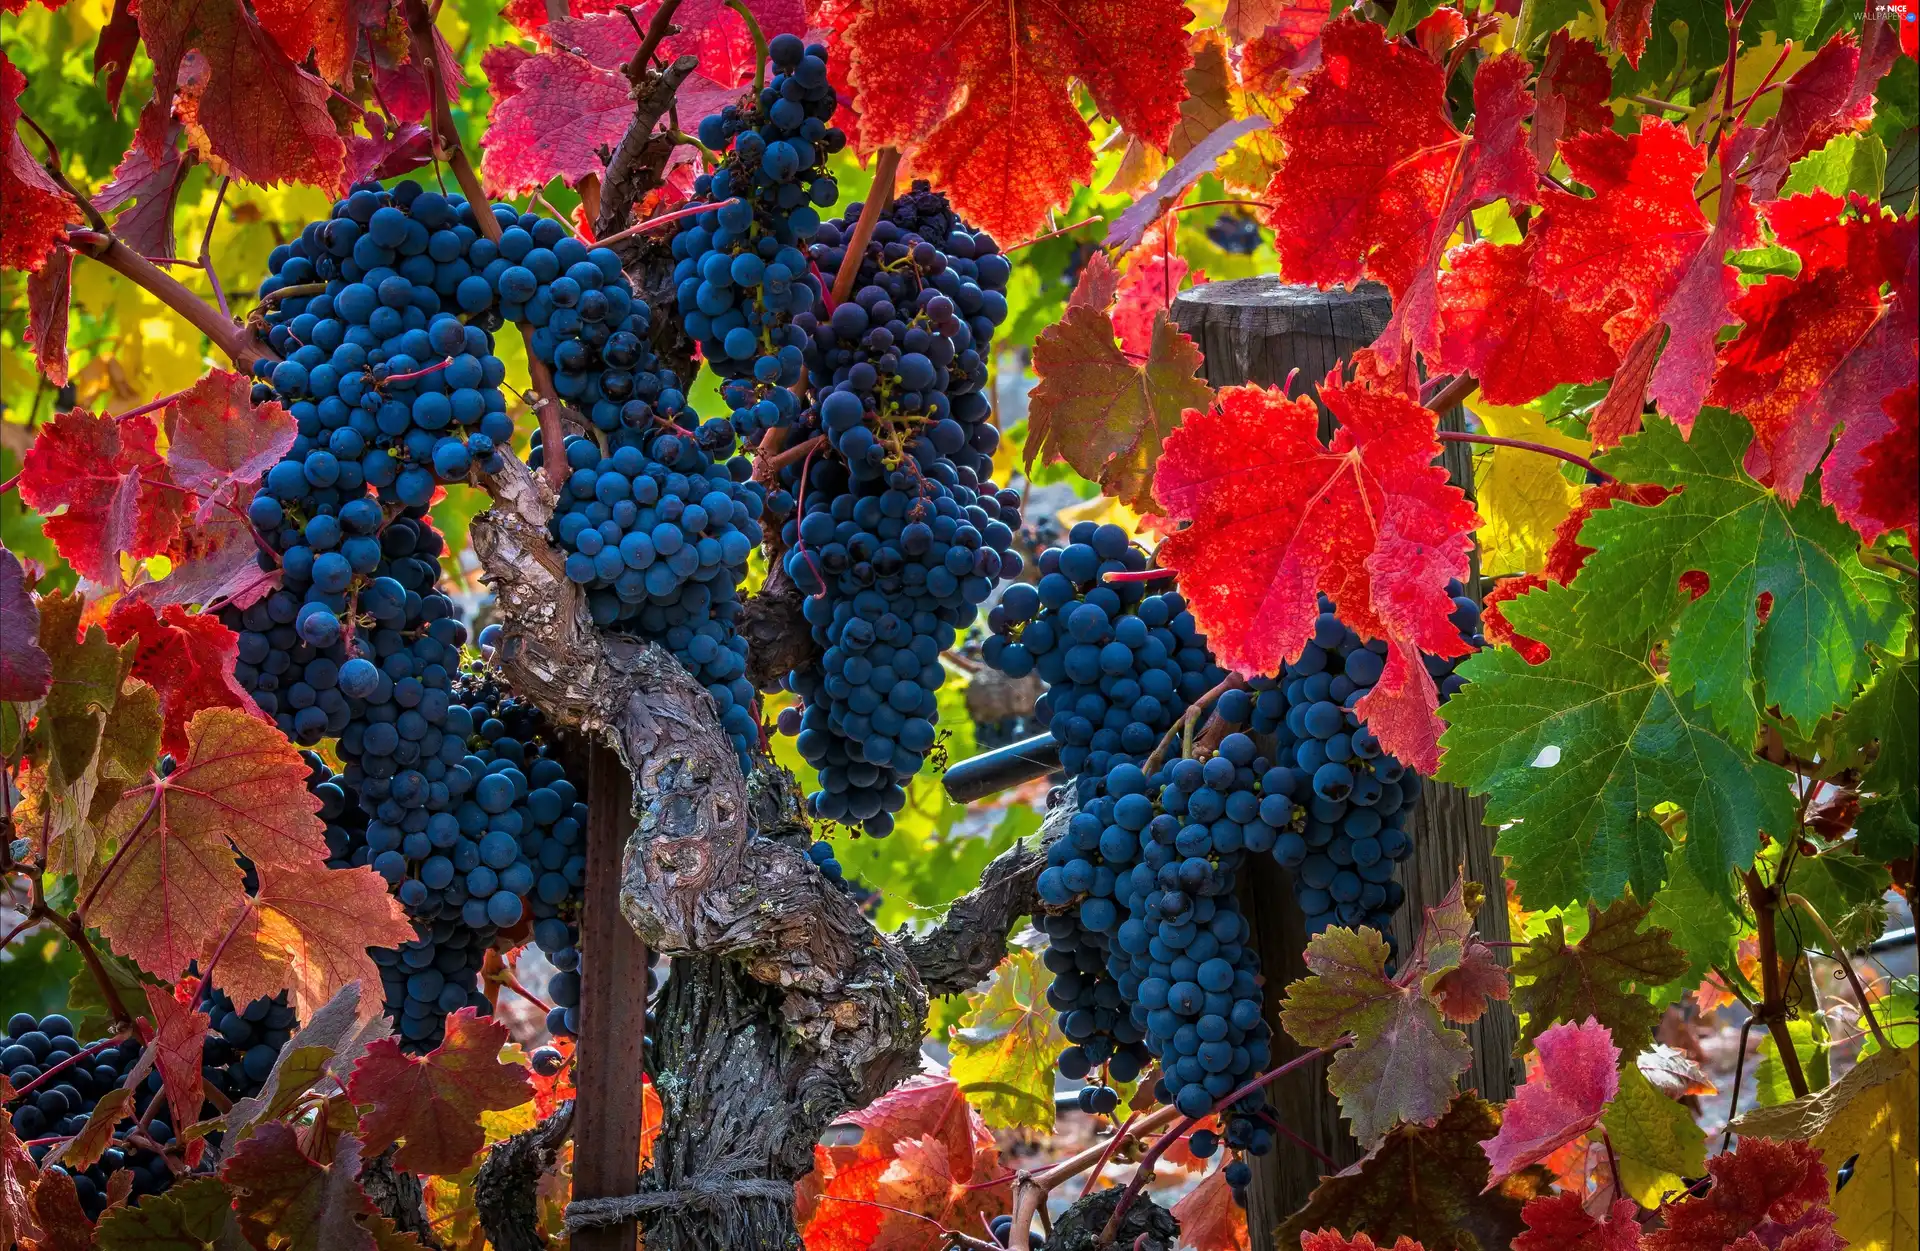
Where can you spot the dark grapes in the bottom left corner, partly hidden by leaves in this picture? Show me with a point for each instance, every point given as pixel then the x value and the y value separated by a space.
pixel 55 1098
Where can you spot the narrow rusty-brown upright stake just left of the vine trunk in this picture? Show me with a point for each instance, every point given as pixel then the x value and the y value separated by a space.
pixel 613 1012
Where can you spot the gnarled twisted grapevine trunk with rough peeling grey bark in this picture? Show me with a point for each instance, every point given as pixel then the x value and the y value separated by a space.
pixel 786 1006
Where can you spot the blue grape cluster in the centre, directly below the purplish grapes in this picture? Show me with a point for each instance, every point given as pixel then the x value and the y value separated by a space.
pixel 894 561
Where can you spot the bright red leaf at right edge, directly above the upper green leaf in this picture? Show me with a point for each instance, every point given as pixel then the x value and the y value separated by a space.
pixel 1823 346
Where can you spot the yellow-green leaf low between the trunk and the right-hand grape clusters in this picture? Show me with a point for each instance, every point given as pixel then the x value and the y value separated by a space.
pixel 1003 1054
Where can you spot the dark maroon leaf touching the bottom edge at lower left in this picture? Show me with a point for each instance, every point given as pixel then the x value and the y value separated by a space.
pixel 287 1200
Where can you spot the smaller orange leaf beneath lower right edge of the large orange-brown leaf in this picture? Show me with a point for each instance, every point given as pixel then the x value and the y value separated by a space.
pixel 308 932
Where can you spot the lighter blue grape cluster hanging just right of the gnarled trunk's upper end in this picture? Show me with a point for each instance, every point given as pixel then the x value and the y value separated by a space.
pixel 660 532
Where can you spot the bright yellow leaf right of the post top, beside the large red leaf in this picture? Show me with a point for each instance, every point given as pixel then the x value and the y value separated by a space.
pixel 1522 494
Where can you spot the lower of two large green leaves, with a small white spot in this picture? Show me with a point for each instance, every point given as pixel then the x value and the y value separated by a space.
pixel 1583 753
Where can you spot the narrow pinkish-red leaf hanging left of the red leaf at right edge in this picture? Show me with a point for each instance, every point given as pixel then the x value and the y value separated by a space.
pixel 1700 310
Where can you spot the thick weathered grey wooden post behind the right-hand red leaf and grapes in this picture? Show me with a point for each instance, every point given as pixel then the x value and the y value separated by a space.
pixel 1262 331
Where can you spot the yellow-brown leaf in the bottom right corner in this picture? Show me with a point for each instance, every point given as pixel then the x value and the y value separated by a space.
pixel 1867 1118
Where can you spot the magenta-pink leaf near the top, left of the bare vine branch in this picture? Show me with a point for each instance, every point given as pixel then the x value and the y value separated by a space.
pixel 560 114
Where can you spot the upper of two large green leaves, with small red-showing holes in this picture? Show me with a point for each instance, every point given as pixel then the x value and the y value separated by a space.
pixel 1788 611
